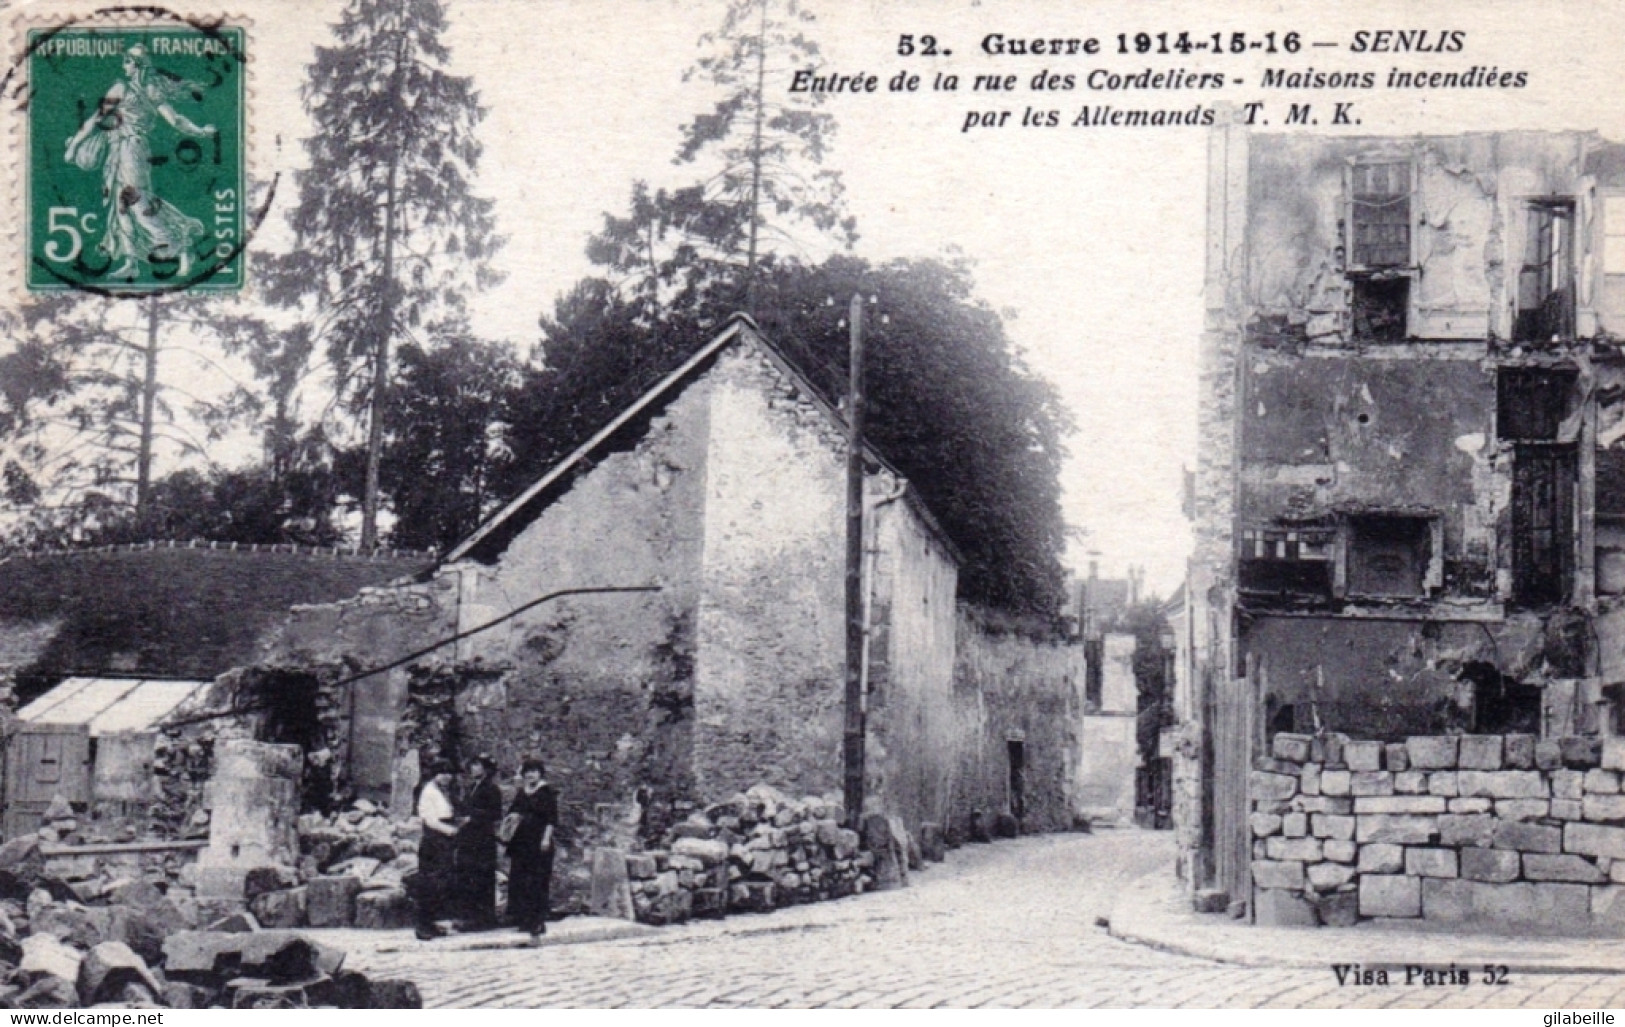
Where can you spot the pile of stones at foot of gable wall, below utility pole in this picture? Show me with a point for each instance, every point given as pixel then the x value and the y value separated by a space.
pixel 755 852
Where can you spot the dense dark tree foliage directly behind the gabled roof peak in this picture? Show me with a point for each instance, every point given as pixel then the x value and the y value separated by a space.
pixel 951 402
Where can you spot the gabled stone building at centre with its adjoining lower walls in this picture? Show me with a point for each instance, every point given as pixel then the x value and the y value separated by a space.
pixel 724 490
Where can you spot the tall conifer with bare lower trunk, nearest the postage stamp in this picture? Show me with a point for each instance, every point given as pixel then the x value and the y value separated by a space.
pixel 389 236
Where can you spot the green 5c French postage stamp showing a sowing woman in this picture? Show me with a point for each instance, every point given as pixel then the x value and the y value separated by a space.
pixel 136 158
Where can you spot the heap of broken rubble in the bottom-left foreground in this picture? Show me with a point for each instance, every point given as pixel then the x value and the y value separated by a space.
pixel 126 945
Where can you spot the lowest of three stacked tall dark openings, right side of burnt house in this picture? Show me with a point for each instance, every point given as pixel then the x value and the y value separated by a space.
pixel 1543 524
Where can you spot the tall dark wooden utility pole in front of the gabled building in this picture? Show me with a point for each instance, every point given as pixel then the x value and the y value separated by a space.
pixel 856 613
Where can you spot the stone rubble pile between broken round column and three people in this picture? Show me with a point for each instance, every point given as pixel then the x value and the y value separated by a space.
pixel 350 873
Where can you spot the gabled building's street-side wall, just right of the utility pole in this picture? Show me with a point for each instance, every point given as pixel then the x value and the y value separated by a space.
pixel 911 700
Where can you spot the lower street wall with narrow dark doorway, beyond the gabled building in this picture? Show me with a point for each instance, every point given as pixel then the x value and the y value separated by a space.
pixel 1012 688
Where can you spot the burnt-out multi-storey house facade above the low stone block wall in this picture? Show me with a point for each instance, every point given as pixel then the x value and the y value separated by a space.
pixel 1411 488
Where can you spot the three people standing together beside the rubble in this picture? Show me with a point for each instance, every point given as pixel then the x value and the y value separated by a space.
pixel 457 859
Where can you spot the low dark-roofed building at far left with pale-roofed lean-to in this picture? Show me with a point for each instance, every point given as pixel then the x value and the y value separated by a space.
pixel 98 646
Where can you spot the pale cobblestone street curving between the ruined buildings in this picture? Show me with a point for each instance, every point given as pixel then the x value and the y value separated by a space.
pixel 999 925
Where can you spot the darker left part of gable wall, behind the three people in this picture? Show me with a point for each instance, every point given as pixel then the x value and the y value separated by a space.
pixel 600 687
